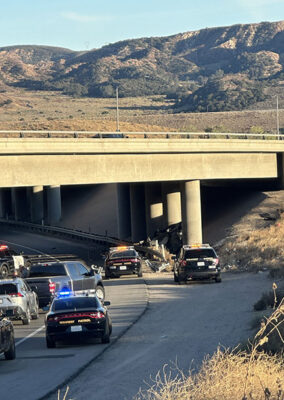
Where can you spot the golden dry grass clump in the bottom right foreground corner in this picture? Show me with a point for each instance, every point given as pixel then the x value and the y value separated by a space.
pixel 222 377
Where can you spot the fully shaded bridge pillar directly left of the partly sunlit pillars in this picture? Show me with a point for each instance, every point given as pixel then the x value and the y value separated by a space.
pixel 137 208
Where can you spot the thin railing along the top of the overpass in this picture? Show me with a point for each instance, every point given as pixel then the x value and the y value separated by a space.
pixel 135 135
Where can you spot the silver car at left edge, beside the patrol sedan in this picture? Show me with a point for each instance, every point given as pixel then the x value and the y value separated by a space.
pixel 18 301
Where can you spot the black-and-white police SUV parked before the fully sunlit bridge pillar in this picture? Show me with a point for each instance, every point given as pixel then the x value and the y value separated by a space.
pixel 197 262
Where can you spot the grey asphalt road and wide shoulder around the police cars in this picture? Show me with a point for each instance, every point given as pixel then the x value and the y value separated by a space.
pixel 156 322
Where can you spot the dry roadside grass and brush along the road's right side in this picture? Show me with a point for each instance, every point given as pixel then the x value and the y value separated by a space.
pixel 254 370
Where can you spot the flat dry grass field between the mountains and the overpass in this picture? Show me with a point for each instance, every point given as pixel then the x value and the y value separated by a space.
pixel 53 111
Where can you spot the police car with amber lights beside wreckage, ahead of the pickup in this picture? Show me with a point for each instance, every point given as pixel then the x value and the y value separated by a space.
pixel 123 260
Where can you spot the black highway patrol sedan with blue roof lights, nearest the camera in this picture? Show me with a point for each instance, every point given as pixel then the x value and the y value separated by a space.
pixel 77 317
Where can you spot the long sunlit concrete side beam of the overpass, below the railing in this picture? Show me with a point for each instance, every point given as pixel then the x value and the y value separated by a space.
pixel 88 169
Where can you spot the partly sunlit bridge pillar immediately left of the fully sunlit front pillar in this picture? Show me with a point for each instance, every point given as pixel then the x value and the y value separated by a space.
pixel 171 203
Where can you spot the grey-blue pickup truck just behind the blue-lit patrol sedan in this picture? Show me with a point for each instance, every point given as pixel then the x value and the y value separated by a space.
pixel 48 279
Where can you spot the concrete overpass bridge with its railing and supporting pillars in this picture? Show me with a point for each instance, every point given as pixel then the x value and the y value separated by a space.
pixel 157 176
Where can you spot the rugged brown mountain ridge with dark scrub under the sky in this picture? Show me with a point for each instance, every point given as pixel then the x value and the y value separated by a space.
pixel 243 62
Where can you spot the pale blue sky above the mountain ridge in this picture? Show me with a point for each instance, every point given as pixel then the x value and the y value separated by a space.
pixel 87 24
